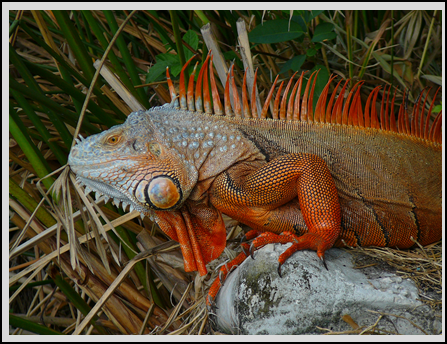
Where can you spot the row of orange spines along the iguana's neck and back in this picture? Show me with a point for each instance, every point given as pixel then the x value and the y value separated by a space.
pixel 338 110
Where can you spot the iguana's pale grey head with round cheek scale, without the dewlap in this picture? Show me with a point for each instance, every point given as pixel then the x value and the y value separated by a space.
pixel 129 163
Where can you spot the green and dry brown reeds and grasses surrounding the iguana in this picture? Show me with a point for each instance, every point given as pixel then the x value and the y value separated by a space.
pixel 63 262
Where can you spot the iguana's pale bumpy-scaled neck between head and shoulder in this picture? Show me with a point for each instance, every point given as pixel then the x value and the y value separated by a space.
pixel 209 143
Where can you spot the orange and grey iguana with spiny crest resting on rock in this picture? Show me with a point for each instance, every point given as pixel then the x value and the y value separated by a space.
pixel 331 176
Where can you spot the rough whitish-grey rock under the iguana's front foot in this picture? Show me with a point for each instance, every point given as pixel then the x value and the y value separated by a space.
pixel 255 300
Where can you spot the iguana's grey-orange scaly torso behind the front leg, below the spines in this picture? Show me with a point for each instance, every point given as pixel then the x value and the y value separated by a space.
pixel 389 184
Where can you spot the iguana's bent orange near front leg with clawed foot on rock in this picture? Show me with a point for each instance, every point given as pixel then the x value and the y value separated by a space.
pixel 278 196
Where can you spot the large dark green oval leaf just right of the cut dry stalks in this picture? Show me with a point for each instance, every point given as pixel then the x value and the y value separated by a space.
pixel 275 31
